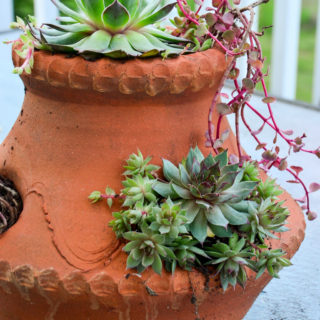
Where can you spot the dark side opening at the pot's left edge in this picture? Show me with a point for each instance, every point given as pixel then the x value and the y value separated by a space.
pixel 10 204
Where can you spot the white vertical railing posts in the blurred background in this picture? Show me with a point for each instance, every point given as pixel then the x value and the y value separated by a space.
pixel 285 45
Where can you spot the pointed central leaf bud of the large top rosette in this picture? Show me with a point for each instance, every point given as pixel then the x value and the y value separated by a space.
pixel 115 17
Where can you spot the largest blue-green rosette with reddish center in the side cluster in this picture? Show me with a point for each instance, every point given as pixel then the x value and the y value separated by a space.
pixel 213 192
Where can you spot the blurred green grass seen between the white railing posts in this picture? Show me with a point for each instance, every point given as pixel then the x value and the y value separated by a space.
pixel 306 48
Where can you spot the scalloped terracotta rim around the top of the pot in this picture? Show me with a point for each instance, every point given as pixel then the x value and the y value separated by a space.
pixel 151 76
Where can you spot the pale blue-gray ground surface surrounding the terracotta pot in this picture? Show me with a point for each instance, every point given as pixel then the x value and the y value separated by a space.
pixel 296 296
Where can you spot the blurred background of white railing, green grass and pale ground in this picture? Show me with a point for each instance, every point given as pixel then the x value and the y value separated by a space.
pixel 290 51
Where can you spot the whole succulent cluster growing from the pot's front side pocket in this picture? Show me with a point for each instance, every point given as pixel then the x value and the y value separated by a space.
pixel 206 213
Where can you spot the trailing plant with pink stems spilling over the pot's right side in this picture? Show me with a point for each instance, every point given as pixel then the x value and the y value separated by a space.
pixel 228 26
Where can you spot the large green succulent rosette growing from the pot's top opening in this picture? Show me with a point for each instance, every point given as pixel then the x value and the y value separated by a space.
pixel 112 28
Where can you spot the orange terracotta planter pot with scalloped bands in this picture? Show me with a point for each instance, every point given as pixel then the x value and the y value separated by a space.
pixel 80 120
